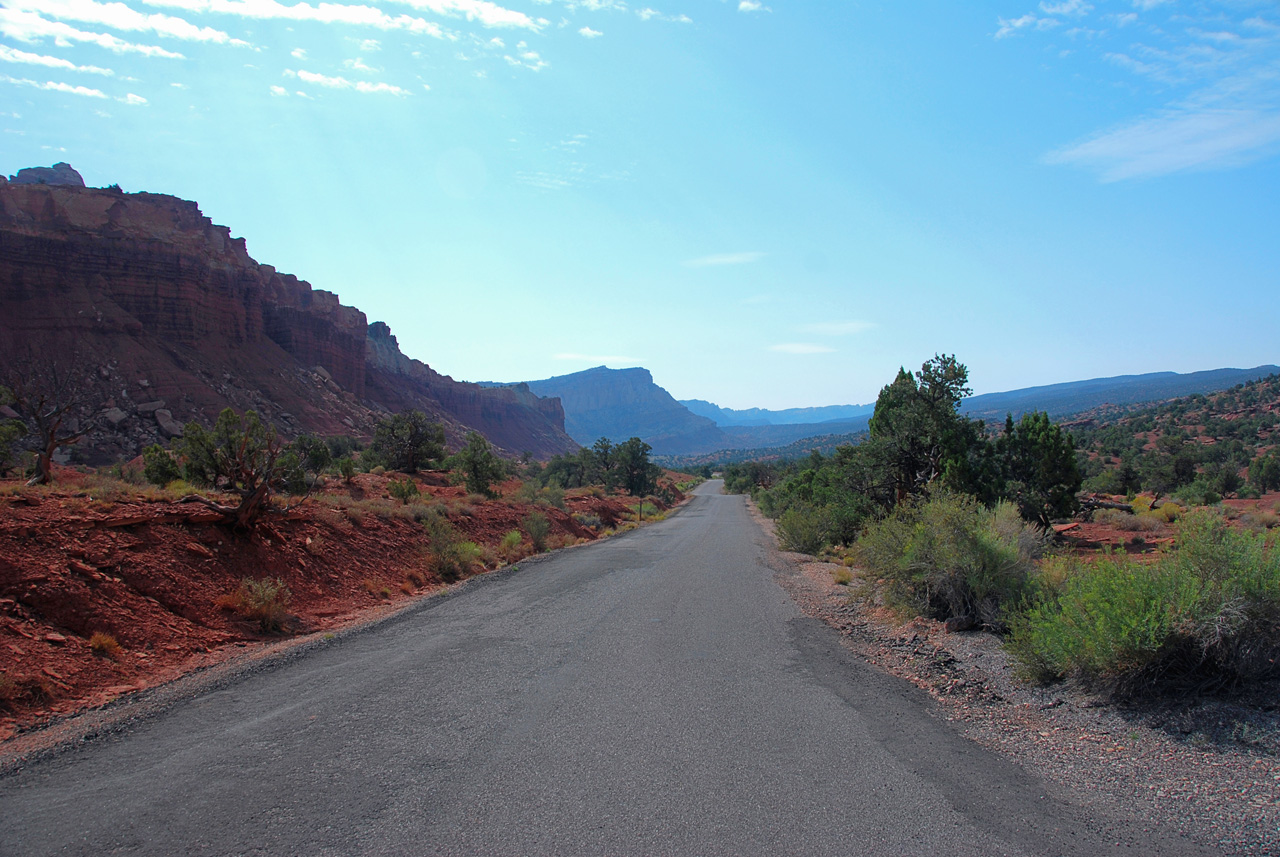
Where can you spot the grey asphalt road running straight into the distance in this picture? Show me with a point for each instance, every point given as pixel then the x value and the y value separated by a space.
pixel 657 694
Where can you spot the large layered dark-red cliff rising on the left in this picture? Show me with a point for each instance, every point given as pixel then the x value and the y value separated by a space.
pixel 171 320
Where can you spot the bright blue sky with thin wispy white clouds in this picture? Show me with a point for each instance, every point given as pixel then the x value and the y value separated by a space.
pixel 767 204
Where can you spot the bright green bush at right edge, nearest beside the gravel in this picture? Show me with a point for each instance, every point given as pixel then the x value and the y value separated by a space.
pixel 1204 617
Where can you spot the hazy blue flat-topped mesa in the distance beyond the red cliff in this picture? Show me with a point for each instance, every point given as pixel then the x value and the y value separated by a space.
pixel 627 404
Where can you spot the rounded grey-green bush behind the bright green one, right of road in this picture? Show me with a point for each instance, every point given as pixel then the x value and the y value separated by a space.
pixel 950 557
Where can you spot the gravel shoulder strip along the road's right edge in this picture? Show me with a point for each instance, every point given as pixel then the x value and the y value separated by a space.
pixel 1209 769
